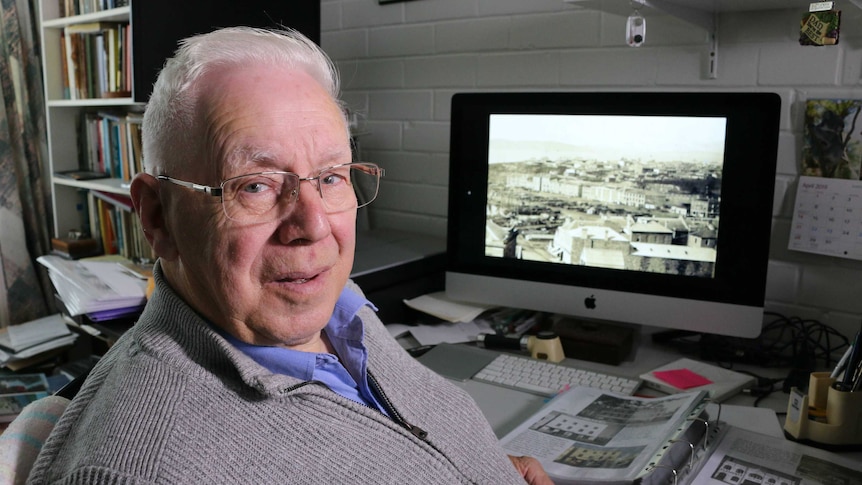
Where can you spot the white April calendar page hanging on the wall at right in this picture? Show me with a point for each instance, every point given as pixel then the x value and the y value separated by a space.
pixel 827 217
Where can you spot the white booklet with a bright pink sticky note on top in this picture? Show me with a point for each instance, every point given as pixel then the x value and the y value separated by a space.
pixel 692 375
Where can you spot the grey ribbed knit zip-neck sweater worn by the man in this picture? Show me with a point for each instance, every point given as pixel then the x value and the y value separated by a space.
pixel 173 402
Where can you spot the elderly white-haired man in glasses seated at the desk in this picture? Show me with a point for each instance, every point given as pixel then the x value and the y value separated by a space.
pixel 256 360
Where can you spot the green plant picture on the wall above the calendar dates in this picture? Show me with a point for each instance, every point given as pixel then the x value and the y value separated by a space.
pixel 832 142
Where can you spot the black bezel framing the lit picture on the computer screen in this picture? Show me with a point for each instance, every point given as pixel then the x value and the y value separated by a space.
pixel 746 203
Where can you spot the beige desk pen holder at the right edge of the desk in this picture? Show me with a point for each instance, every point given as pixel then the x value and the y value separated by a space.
pixel 826 415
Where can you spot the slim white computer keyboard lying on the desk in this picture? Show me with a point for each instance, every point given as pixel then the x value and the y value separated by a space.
pixel 547 378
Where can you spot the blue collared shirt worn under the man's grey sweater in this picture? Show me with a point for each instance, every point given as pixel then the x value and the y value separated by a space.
pixel 345 373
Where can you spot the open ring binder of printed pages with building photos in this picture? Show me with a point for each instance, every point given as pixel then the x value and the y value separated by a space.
pixel 588 436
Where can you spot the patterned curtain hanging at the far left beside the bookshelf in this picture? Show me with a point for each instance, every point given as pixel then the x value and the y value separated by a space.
pixel 24 207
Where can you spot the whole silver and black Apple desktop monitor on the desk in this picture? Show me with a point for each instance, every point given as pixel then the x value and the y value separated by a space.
pixel 650 208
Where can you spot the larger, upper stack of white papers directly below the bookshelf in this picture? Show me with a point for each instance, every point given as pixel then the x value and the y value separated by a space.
pixel 94 286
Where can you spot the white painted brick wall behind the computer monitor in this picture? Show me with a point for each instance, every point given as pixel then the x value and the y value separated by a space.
pixel 402 62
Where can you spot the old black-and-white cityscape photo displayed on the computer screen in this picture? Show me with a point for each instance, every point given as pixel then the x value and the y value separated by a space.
pixel 637 193
